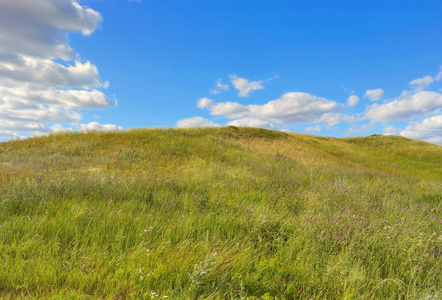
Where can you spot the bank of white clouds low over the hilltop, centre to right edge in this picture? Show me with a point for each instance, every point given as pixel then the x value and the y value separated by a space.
pixel 419 107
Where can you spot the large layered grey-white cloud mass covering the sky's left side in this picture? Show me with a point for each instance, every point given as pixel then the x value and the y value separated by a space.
pixel 42 79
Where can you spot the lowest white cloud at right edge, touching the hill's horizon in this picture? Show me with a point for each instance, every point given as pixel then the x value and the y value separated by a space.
pixel 429 130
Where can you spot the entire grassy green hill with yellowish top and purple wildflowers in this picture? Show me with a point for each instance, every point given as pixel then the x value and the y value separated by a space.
pixel 220 213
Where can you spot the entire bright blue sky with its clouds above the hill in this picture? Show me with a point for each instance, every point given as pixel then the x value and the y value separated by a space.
pixel 331 68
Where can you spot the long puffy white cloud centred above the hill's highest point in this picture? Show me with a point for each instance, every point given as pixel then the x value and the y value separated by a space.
pixel 294 107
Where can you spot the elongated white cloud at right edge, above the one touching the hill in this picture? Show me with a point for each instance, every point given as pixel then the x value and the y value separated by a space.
pixel 408 106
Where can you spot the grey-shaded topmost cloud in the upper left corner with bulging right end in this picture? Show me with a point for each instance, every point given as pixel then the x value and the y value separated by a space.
pixel 37 28
